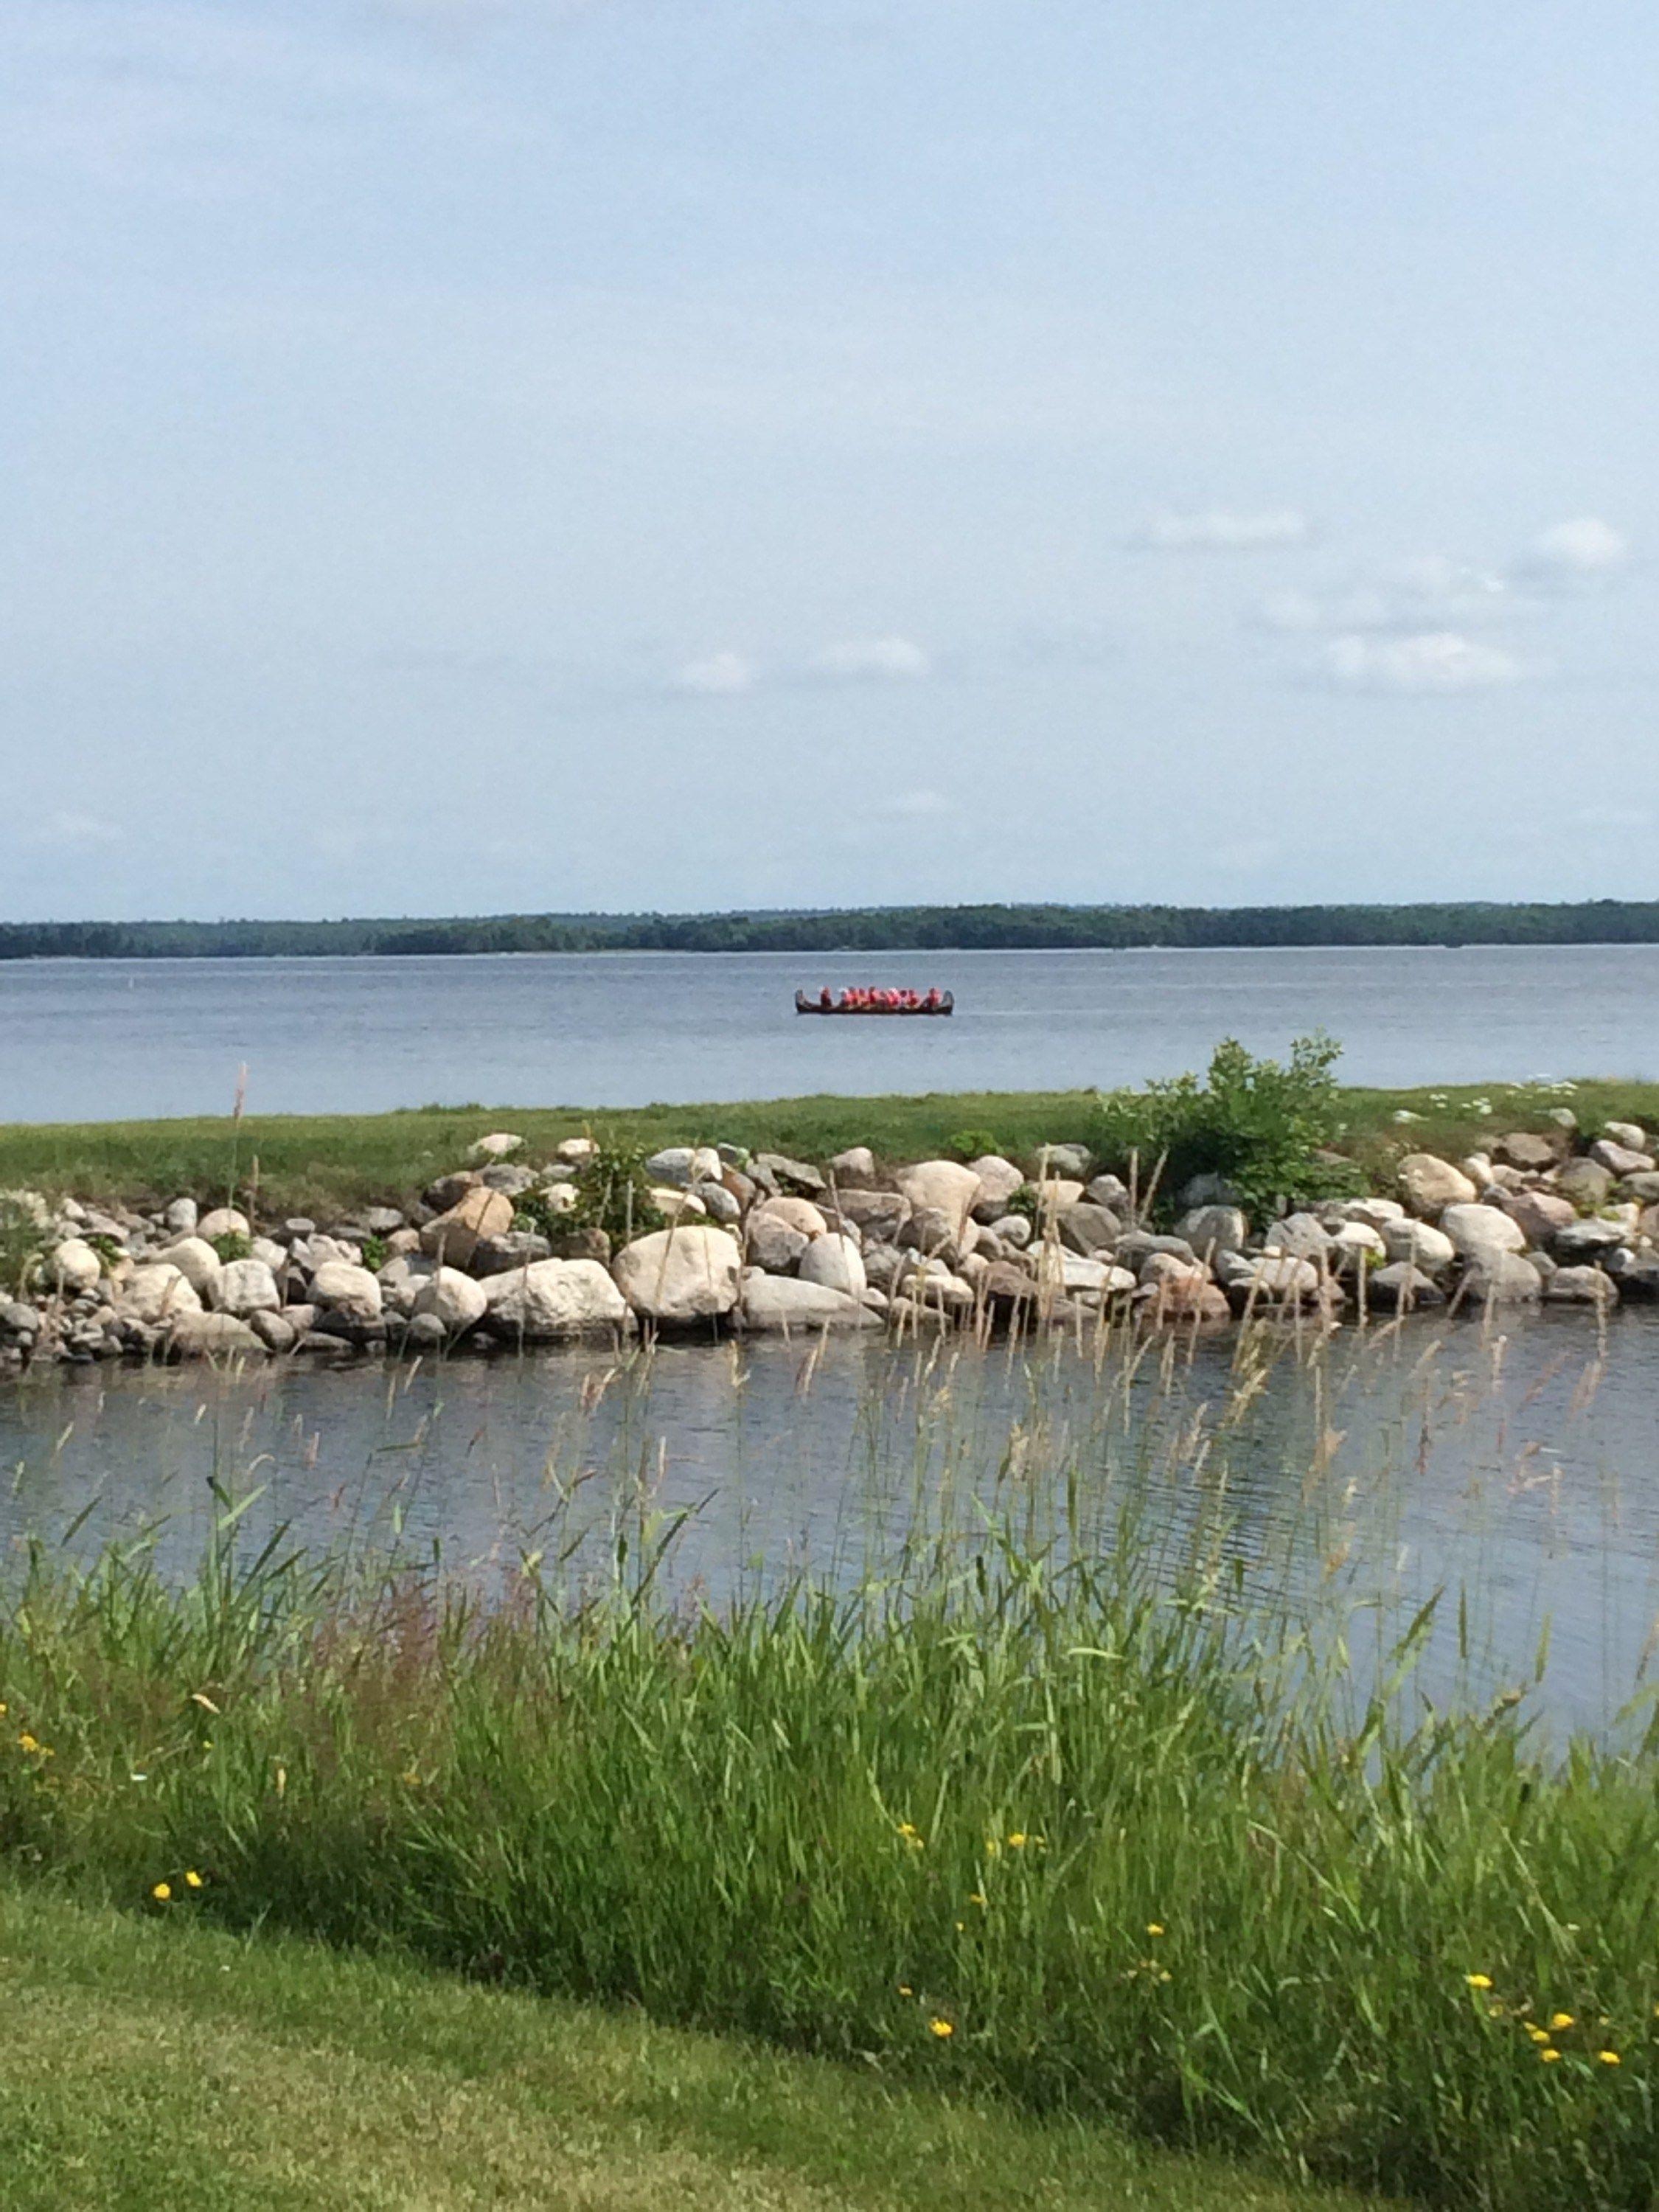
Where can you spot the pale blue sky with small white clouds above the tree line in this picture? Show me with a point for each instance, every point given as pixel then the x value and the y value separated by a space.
pixel 671 455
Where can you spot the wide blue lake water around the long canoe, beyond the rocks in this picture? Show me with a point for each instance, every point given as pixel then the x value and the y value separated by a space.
pixel 134 1039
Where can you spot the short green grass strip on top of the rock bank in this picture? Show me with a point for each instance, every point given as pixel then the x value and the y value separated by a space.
pixel 324 1162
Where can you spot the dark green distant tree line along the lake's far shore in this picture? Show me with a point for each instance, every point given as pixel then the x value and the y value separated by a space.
pixel 1598 921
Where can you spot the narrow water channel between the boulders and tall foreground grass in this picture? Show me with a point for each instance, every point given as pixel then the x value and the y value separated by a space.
pixel 1514 1468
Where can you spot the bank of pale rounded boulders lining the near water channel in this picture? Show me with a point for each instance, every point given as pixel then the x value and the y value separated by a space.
pixel 505 1253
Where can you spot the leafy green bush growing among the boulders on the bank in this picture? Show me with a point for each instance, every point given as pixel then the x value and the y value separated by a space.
pixel 1260 1125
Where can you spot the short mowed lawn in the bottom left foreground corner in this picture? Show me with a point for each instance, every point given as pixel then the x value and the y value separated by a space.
pixel 163 2063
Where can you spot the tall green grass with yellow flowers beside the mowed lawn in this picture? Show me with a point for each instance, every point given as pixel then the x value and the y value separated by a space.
pixel 1074 1841
